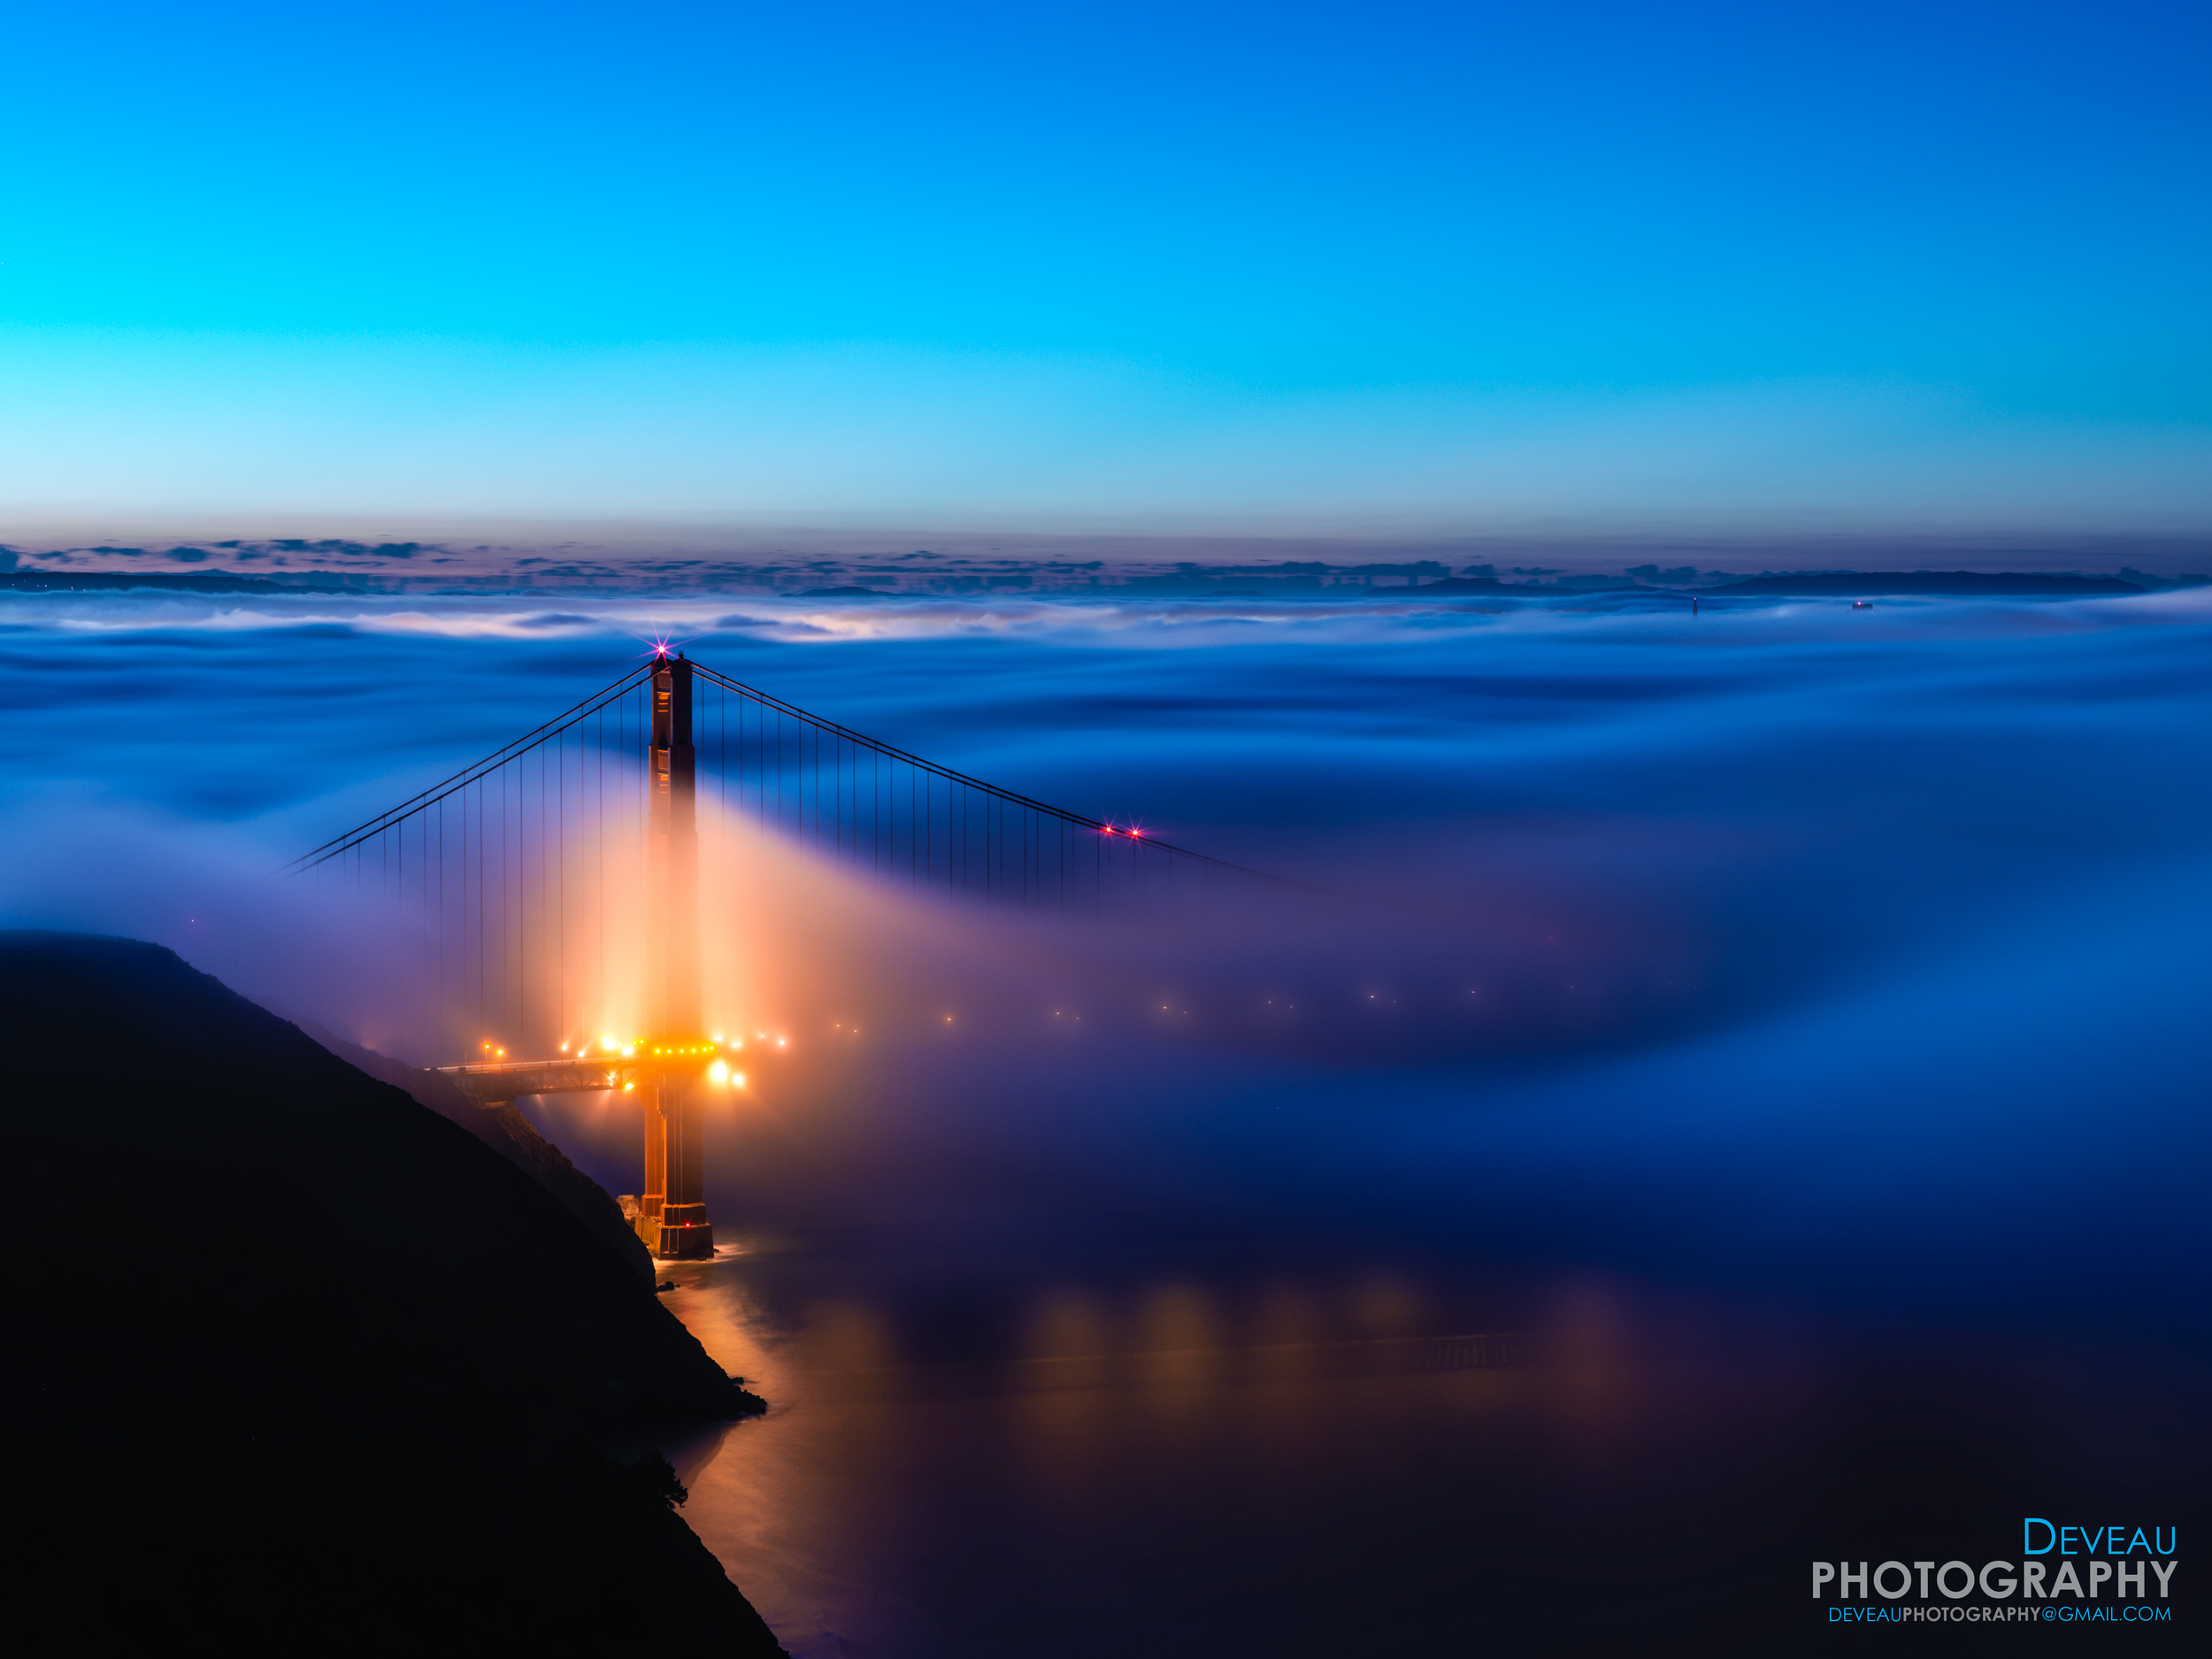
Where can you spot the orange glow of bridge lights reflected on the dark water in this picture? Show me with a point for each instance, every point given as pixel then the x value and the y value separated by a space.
pixel 1107 1415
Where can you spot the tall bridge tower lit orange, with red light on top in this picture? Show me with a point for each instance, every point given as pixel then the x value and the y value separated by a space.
pixel 674 1200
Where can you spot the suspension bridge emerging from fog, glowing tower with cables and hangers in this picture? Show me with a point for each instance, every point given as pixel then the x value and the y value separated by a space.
pixel 554 895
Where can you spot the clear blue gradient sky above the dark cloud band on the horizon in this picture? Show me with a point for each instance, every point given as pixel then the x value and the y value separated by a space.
pixel 1454 264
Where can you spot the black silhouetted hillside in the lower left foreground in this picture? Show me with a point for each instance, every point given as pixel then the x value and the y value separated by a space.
pixel 293 1364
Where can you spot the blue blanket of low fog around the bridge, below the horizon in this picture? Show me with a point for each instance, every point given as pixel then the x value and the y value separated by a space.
pixel 1784 937
